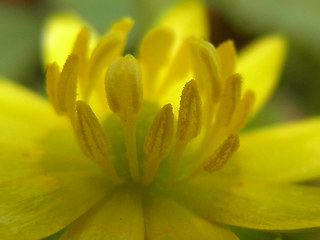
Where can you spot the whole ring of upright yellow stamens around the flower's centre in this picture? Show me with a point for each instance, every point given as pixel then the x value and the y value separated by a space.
pixel 211 111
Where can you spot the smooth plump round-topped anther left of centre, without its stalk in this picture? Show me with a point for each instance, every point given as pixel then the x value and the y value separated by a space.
pixel 124 87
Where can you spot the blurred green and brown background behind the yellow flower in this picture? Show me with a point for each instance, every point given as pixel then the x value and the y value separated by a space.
pixel 297 96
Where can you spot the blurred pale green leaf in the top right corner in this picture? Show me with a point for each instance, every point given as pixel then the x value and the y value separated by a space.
pixel 298 19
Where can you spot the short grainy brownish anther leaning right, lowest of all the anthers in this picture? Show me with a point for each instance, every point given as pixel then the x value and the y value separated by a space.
pixel 223 154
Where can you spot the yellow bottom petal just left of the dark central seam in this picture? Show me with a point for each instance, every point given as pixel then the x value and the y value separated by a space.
pixel 118 217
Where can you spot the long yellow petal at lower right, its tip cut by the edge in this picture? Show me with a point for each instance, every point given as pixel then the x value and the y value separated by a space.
pixel 251 204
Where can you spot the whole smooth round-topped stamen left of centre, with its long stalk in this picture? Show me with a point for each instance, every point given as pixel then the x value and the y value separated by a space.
pixel 124 94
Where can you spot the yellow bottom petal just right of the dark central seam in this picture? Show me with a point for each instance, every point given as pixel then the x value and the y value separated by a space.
pixel 167 220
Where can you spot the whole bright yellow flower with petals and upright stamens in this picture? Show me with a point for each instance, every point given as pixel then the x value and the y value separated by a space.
pixel 153 165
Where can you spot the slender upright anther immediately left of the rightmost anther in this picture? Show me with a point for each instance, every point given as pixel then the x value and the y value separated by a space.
pixel 229 101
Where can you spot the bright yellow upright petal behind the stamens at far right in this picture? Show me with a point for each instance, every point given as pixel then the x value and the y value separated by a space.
pixel 260 65
